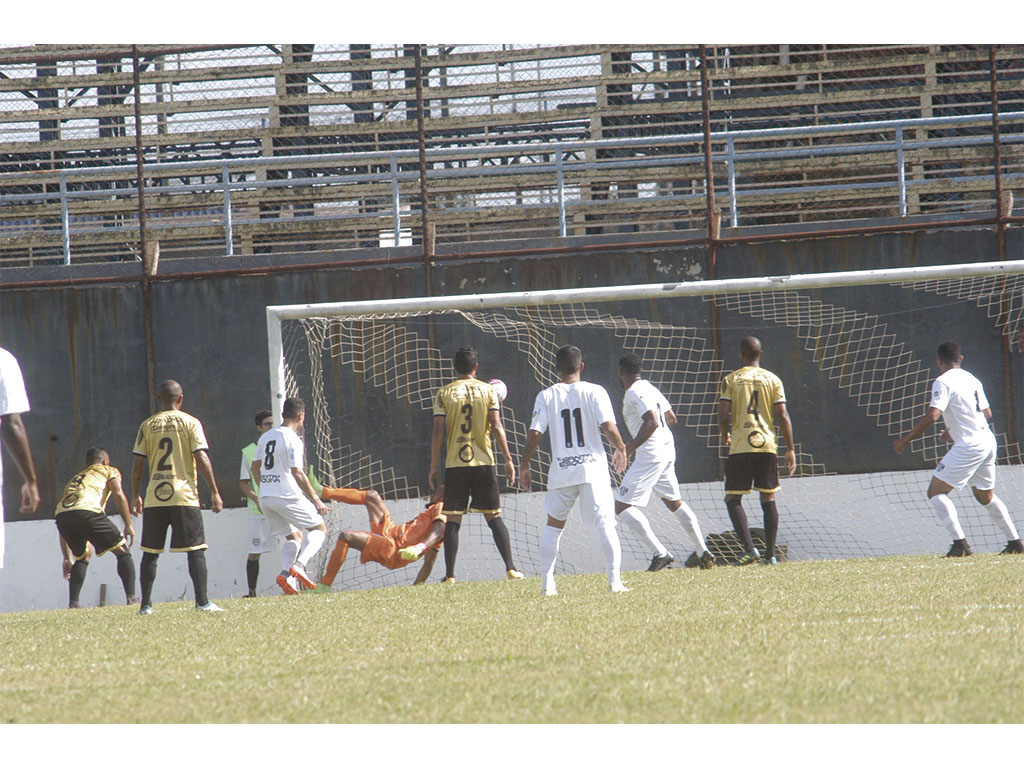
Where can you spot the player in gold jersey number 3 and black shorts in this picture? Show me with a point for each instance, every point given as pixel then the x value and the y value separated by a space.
pixel 467 411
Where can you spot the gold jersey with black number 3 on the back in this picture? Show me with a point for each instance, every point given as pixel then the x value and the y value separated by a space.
pixel 466 406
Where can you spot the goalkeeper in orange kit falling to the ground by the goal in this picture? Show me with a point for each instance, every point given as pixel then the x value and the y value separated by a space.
pixel 391 545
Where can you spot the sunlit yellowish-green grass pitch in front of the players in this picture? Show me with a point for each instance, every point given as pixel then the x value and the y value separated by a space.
pixel 892 641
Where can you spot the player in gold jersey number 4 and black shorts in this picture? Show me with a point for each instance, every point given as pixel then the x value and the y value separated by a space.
pixel 752 400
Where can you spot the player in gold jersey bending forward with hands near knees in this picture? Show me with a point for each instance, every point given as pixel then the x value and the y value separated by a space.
pixel 81 519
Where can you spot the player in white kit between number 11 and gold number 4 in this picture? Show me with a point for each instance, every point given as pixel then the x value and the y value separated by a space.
pixel 650 419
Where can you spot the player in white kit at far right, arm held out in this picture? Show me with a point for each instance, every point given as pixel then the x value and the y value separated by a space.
pixel 960 399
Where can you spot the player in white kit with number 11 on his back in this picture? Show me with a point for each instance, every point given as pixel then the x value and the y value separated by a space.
pixel 577 413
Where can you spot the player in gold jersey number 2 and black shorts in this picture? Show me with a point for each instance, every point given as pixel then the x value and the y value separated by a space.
pixel 176 447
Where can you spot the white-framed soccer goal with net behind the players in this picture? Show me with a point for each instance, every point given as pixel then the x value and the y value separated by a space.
pixel 856 351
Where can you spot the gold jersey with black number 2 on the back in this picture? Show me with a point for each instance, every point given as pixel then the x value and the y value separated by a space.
pixel 168 441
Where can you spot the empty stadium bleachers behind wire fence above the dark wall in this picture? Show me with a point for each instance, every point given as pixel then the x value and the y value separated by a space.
pixel 298 149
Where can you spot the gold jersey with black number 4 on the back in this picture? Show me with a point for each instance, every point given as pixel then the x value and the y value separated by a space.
pixel 754 393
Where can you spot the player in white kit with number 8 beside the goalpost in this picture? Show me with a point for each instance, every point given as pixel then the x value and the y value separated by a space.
pixel 288 499
